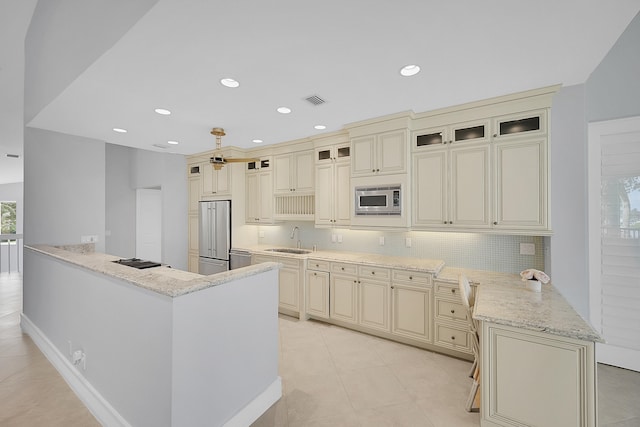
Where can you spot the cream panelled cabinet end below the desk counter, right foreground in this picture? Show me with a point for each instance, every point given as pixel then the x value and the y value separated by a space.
pixel 532 378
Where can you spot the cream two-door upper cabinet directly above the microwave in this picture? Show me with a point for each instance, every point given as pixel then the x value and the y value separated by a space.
pixel 383 153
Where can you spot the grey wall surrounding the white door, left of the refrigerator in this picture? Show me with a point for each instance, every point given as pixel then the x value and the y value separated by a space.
pixel 128 169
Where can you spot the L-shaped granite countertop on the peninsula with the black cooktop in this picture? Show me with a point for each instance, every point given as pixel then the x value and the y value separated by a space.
pixel 163 280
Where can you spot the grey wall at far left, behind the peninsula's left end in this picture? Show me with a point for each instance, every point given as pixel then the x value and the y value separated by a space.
pixel 64 182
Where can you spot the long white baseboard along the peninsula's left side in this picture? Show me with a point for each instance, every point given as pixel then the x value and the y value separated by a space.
pixel 92 399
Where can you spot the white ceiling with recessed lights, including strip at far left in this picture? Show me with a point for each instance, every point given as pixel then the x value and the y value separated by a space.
pixel 349 53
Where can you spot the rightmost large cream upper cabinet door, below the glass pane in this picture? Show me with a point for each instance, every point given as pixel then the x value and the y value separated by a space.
pixel 521 193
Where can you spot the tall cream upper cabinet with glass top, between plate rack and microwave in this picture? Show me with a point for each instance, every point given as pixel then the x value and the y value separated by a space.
pixel 333 191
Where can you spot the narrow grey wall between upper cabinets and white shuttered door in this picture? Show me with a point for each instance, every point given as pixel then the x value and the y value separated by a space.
pixel 569 252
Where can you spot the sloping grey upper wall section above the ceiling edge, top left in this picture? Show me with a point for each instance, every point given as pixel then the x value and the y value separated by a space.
pixel 60 46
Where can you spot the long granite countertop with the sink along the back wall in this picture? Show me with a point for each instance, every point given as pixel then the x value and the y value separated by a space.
pixel 432 266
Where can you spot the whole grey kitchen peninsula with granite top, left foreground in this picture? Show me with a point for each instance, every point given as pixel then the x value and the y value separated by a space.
pixel 154 347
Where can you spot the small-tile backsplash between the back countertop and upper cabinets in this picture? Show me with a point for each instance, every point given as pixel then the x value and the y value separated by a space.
pixel 467 250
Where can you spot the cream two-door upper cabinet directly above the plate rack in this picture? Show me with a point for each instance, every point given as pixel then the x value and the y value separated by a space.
pixel 294 173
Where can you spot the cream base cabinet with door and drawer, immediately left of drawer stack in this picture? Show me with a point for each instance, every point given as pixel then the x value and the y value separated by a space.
pixel 411 299
